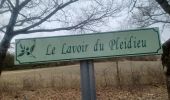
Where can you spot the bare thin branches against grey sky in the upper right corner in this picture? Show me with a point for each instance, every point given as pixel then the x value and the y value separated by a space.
pixel 148 12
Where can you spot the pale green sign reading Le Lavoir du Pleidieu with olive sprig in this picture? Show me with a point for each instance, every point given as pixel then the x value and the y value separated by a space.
pixel 88 46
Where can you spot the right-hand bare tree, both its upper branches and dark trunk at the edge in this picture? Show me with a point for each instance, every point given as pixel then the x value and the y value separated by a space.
pixel 149 12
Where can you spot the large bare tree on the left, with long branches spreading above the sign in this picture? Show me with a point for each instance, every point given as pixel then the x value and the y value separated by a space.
pixel 32 16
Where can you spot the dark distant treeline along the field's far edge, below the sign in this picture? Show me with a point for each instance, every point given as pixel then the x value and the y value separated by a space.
pixel 9 62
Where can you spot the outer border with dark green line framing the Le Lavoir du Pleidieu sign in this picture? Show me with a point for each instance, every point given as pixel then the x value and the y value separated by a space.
pixel 156 29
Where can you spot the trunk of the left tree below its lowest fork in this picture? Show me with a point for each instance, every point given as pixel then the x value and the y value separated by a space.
pixel 4 45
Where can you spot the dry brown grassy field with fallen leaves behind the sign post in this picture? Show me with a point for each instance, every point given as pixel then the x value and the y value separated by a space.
pixel 133 80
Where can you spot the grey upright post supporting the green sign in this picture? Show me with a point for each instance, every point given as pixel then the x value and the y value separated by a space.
pixel 88 89
